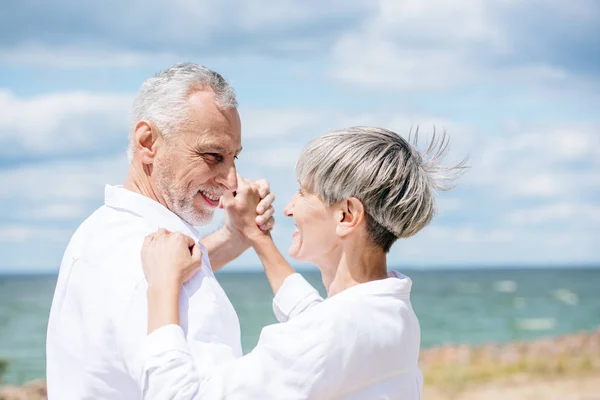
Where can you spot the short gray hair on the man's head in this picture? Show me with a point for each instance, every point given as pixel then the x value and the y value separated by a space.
pixel 163 98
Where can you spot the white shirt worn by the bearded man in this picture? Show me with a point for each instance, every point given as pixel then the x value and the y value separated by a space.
pixel 98 319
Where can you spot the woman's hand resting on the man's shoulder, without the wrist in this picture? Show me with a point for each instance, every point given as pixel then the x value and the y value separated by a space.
pixel 170 258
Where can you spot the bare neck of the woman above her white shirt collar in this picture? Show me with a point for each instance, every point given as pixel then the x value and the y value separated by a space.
pixel 357 264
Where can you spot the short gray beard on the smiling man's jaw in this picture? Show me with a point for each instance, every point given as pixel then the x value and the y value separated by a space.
pixel 181 201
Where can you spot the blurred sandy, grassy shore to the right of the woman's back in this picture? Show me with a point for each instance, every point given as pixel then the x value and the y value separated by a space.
pixel 556 368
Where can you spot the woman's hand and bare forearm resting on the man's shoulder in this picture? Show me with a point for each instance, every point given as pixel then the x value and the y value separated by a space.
pixel 168 260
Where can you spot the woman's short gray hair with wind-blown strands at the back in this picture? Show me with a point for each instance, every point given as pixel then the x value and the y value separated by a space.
pixel 394 181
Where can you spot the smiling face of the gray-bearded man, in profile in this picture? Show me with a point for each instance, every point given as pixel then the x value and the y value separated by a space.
pixel 196 166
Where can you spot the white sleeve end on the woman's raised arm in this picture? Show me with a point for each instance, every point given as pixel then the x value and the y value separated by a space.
pixel 294 296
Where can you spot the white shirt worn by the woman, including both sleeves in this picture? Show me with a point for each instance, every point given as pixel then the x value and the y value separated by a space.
pixel 362 343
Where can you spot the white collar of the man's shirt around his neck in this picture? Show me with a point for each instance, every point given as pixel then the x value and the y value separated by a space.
pixel 118 197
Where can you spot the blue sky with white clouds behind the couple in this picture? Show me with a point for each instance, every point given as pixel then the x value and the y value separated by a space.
pixel 516 85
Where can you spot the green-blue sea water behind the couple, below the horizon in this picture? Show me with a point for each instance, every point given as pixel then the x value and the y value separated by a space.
pixel 453 306
